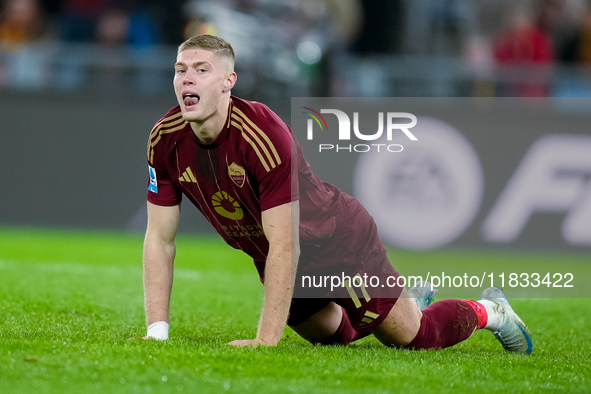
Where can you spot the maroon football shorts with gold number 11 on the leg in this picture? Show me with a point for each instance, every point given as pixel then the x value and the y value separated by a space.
pixel 350 268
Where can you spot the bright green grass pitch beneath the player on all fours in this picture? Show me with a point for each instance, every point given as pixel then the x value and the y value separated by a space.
pixel 71 301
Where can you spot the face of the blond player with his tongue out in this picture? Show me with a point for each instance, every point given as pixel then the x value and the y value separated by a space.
pixel 201 80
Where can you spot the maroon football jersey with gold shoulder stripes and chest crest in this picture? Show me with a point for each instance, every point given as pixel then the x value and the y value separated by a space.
pixel 254 164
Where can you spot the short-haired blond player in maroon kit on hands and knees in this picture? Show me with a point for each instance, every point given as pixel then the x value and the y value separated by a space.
pixel 242 167
